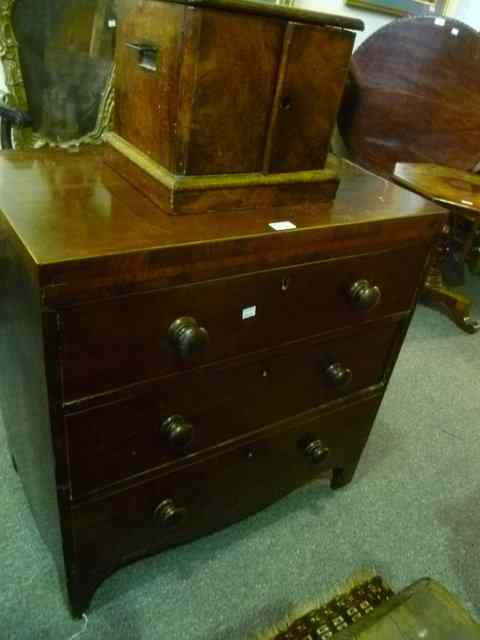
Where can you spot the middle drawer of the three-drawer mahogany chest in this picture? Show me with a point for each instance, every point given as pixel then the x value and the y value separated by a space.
pixel 185 414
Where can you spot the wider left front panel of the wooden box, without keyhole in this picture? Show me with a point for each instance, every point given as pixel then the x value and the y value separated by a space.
pixel 214 139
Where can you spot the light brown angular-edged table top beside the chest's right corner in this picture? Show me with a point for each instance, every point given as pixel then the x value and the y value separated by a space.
pixel 452 187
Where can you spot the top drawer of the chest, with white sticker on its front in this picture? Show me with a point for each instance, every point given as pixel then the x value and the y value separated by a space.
pixel 124 340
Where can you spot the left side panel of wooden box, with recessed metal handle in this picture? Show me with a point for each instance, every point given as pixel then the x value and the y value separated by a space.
pixel 147 58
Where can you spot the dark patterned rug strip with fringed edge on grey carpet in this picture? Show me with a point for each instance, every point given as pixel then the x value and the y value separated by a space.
pixel 324 622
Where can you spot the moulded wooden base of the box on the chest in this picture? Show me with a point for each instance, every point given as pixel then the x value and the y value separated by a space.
pixel 214 193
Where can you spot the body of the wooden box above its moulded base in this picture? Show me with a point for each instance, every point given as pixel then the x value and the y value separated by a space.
pixel 196 112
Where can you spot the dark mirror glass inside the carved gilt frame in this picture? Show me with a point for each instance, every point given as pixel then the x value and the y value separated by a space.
pixel 66 52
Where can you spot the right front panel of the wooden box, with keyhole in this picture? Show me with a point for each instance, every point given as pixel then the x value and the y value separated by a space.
pixel 312 75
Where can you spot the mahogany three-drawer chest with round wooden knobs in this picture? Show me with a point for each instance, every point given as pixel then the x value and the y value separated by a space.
pixel 166 376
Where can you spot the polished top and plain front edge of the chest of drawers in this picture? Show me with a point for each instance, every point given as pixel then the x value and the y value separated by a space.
pixel 87 233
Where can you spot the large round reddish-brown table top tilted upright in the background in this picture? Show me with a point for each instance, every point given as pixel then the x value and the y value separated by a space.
pixel 414 96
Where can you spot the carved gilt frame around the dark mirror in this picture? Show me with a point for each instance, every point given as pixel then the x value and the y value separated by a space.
pixel 17 97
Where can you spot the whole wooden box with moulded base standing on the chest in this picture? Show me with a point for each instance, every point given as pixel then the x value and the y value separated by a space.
pixel 266 105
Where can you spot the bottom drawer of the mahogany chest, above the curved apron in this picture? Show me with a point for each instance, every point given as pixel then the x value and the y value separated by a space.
pixel 217 491
